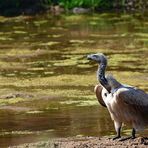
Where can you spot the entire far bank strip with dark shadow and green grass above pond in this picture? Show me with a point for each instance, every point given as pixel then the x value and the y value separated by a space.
pixel 16 7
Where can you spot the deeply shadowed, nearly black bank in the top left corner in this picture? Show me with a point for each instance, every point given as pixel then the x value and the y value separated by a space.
pixel 16 7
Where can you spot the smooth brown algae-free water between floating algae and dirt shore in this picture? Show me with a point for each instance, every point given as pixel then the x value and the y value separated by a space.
pixel 74 121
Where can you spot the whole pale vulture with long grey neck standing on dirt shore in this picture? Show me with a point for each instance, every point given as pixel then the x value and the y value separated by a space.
pixel 126 104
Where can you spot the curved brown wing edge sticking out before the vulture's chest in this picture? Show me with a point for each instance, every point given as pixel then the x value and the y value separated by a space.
pixel 98 91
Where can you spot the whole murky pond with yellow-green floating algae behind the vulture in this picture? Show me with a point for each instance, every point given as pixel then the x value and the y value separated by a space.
pixel 46 82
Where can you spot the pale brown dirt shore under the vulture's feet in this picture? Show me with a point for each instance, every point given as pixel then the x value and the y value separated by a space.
pixel 88 142
